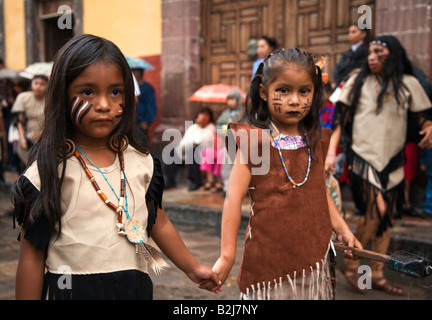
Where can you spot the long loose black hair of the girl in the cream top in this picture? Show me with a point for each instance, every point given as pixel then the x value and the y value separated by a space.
pixel 50 151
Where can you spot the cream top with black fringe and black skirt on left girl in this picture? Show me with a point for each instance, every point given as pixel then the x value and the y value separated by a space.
pixel 103 263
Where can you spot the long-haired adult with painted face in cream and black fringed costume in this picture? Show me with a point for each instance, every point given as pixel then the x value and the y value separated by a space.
pixel 373 114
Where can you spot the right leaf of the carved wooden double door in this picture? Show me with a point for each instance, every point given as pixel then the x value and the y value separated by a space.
pixel 321 26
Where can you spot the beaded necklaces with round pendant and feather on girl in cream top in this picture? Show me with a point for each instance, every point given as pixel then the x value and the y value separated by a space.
pixel 132 229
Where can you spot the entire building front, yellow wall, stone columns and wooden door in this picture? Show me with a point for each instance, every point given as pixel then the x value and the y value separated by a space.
pixel 197 42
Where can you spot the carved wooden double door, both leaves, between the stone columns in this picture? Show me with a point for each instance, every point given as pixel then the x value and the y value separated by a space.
pixel 319 26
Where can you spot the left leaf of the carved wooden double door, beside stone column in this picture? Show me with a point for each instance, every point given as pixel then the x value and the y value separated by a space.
pixel 227 26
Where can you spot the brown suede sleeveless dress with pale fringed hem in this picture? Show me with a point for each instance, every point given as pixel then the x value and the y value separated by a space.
pixel 289 229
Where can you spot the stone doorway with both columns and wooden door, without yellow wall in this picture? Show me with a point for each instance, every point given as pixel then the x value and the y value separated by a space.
pixel 191 27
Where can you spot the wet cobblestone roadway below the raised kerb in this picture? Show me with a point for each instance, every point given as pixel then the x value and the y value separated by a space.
pixel 204 244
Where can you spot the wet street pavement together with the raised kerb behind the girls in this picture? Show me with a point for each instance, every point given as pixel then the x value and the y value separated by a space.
pixel 196 216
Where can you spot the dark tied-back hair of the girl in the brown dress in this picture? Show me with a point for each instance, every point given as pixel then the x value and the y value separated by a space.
pixel 257 112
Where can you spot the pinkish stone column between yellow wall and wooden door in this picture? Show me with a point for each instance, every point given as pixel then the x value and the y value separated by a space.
pixel 180 64
